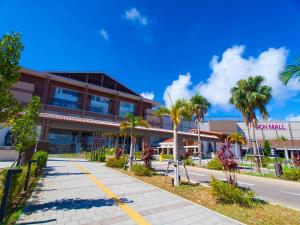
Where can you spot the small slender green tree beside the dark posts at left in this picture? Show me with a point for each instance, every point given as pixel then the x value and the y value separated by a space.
pixel 24 127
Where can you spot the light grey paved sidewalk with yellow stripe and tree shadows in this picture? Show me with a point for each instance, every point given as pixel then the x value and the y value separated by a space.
pixel 81 192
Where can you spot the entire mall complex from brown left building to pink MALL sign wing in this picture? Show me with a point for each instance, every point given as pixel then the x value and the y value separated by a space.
pixel 81 111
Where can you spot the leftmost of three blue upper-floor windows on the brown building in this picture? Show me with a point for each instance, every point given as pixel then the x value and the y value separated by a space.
pixel 65 98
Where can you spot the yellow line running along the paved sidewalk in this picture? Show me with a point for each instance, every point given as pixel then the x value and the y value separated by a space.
pixel 134 215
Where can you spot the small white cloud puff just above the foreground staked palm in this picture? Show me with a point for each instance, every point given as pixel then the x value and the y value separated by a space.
pixel 178 89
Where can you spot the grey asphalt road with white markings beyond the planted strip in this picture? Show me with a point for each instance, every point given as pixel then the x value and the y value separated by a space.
pixel 286 193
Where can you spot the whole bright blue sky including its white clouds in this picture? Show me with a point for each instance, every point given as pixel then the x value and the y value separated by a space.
pixel 147 44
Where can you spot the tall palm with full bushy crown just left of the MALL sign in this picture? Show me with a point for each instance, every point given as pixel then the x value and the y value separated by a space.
pixel 250 96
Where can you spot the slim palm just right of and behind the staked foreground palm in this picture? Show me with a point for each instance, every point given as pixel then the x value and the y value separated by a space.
pixel 200 107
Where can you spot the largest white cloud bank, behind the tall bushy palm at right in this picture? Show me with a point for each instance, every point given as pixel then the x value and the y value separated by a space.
pixel 231 67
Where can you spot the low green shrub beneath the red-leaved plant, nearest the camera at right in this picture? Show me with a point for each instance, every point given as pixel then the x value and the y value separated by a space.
pixel 230 194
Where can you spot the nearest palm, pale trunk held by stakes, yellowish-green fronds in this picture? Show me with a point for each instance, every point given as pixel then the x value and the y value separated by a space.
pixel 181 109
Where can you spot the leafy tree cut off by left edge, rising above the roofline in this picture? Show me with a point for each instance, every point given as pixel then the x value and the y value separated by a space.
pixel 10 53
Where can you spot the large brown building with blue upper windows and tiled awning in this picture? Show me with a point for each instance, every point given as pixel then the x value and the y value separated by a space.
pixel 80 110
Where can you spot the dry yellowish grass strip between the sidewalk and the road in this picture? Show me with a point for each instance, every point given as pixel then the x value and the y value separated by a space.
pixel 262 213
